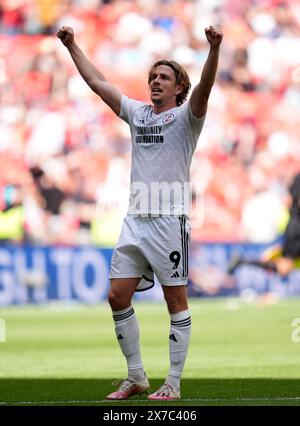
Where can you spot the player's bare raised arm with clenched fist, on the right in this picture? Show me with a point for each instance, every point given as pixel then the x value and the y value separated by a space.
pixel 200 95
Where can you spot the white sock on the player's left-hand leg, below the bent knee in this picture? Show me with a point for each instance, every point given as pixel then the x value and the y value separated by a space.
pixel 128 335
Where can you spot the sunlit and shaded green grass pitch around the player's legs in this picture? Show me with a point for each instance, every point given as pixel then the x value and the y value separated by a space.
pixel 240 354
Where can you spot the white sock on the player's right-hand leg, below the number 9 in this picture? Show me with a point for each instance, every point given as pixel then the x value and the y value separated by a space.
pixel 180 333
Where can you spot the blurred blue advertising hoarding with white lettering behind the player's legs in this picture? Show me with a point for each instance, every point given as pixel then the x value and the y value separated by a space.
pixel 33 274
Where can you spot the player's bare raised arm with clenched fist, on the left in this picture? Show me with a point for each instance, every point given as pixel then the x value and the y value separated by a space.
pixel 93 77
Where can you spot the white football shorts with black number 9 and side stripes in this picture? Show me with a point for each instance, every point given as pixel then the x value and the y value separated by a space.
pixel 153 245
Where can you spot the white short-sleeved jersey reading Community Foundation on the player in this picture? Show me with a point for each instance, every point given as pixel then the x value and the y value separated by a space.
pixel 162 149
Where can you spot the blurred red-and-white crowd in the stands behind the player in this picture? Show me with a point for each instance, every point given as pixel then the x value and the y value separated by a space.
pixel 65 157
